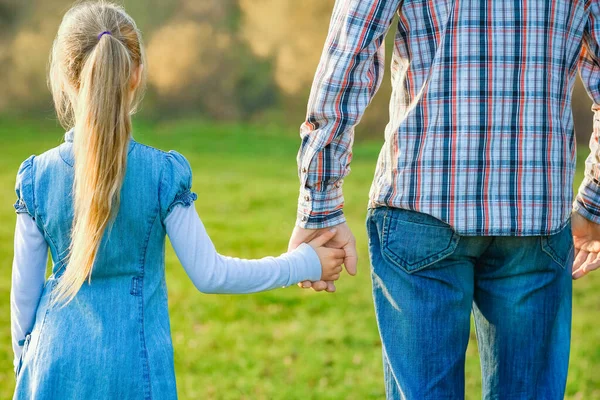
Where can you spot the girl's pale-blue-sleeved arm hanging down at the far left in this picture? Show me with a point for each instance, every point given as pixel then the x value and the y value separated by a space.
pixel 28 277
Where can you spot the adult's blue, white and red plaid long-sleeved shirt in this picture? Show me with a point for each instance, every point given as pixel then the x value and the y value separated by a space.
pixel 481 131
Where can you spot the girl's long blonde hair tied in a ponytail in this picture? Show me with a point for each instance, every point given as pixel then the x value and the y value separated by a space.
pixel 95 55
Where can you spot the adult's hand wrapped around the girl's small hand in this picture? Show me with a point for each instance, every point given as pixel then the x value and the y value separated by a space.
pixel 343 239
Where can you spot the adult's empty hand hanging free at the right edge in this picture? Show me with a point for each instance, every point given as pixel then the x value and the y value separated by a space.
pixel 586 239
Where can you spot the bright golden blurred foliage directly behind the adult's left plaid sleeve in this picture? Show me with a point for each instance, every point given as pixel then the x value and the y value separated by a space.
pixel 292 37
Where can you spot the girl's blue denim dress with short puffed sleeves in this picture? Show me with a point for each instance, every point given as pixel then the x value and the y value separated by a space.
pixel 113 341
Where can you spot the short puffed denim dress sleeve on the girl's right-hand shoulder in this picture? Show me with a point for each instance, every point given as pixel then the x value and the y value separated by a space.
pixel 175 184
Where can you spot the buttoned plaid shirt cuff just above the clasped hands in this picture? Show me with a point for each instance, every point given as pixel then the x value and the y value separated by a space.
pixel 317 210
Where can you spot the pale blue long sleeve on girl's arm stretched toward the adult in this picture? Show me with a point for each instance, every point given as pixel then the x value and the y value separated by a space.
pixel 212 272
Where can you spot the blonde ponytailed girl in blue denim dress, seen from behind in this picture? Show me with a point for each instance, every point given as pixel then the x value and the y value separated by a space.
pixel 102 204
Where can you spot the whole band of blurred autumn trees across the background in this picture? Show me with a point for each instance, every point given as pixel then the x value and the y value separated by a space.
pixel 225 59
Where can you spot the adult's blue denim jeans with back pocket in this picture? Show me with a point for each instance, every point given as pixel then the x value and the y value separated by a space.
pixel 426 281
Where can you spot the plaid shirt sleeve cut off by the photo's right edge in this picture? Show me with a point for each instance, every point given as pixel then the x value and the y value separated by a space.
pixel 587 201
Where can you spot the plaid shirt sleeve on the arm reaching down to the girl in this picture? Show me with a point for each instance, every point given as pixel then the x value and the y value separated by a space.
pixel 348 76
